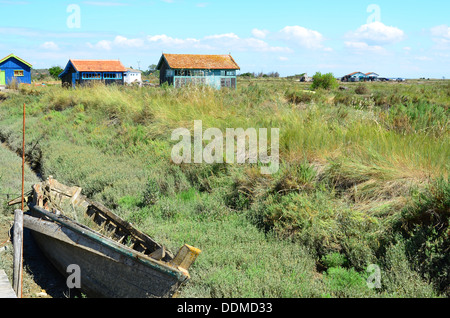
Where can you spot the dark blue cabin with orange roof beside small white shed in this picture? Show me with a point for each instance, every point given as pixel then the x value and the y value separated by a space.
pixel 85 72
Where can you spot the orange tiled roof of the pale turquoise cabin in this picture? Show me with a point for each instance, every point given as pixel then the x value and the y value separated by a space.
pixel 199 61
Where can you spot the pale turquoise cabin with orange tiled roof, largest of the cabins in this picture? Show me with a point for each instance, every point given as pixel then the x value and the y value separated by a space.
pixel 182 69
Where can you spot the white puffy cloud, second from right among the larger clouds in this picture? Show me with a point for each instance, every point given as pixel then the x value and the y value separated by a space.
pixel 303 37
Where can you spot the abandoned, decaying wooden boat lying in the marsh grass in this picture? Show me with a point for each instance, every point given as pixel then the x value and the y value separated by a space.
pixel 116 260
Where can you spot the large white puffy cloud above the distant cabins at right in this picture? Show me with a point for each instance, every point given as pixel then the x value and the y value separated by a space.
pixel 376 33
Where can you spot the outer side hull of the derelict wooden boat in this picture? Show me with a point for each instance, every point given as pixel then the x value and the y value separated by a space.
pixel 105 271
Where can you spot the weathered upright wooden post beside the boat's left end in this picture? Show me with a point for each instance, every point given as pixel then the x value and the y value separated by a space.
pixel 18 252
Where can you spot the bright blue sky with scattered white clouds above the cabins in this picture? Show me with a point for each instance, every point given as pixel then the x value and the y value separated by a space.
pixel 394 38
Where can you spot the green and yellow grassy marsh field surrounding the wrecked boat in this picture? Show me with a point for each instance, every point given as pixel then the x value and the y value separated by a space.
pixel 363 180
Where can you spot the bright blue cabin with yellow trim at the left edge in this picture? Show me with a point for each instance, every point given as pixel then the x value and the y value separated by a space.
pixel 13 68
